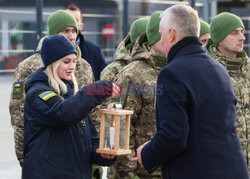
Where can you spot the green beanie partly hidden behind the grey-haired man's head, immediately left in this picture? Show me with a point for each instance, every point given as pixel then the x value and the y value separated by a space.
pixel 152 30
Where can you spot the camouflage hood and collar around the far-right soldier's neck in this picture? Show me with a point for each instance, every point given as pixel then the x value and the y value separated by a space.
pixel 240 62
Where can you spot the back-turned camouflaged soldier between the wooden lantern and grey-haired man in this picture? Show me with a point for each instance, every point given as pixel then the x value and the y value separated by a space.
pixel 140 77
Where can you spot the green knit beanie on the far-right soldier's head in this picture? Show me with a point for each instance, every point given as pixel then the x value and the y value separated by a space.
pixel 222 25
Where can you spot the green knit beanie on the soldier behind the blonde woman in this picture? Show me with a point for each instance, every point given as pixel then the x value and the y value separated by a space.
pixel 59 20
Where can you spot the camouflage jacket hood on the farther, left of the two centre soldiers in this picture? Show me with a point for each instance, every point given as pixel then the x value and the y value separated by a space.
pixel 123 50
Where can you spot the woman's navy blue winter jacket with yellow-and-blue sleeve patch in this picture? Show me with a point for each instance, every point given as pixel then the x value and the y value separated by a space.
pixel 60 139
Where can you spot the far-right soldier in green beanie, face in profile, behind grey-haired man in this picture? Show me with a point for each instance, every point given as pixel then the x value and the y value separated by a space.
pixel 226 47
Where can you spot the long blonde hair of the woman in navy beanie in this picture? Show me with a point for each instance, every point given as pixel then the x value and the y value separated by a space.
pixel 54 80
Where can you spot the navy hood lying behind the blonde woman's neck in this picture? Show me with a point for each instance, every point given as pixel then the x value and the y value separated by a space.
pixel 36 77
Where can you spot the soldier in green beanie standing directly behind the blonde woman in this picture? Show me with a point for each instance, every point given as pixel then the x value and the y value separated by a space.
pixel 60 22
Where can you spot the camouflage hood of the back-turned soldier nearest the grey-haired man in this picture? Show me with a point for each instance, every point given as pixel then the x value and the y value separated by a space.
pixel 142 51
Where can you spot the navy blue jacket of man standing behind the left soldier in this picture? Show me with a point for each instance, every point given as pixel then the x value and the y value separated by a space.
pixel 93 55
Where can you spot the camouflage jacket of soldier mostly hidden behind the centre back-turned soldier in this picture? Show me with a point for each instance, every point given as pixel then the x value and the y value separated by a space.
pixel 122 58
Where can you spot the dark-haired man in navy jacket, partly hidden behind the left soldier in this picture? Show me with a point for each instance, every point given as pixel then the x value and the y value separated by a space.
pixel 90 52
